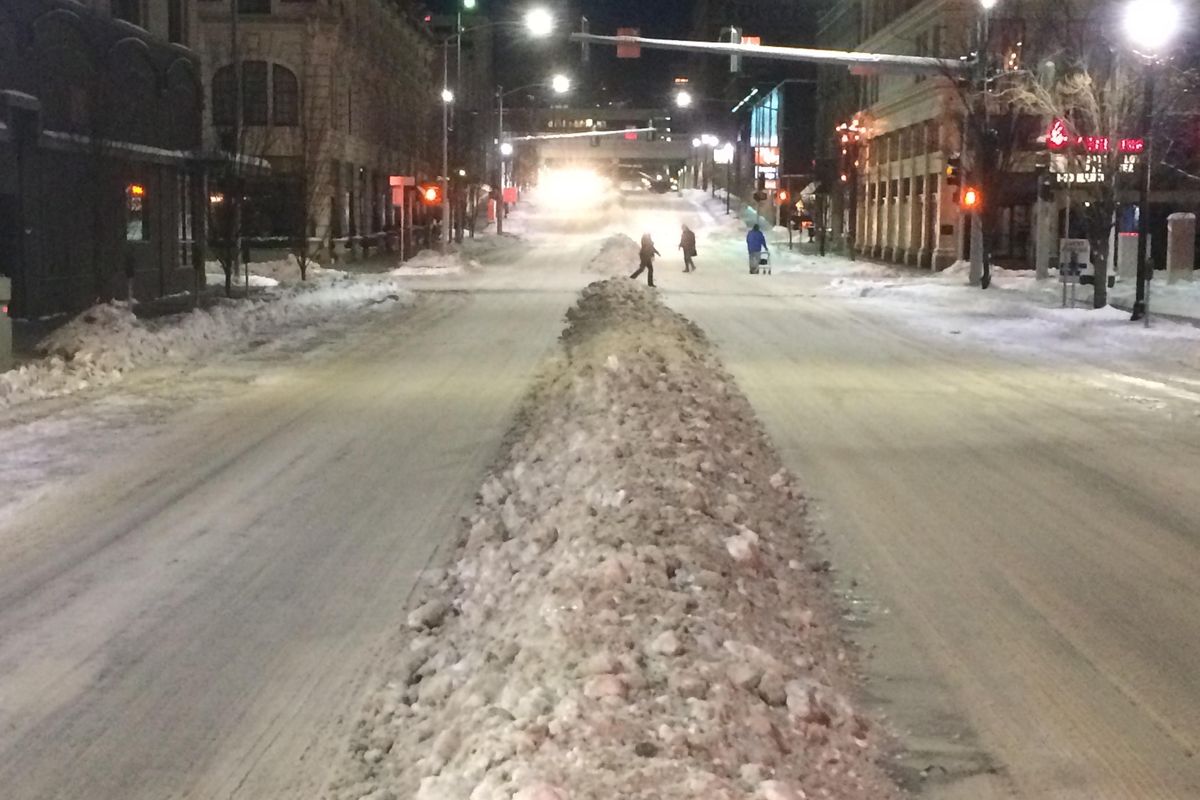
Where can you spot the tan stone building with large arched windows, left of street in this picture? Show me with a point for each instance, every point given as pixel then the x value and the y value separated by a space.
pixel 339 98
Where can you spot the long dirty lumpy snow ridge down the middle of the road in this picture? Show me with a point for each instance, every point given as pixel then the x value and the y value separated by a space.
pixel 633 613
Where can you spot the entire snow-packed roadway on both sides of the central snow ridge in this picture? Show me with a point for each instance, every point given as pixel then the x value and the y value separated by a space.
pixel 197 615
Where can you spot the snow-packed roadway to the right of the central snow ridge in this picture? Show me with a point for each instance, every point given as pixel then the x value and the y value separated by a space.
pixel 1025 531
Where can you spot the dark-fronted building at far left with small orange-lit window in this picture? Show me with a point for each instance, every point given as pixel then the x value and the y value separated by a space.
pixel 98 159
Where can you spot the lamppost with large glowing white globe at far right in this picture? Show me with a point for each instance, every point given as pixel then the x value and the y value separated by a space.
pixel 1150 26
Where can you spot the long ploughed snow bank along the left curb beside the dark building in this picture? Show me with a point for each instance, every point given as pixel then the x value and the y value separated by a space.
pixel 99 346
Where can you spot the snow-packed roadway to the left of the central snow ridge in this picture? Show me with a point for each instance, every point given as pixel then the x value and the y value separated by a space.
pixel 196 617
